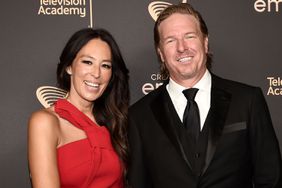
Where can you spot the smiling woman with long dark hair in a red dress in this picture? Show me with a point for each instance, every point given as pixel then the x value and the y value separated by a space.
pixel 81 141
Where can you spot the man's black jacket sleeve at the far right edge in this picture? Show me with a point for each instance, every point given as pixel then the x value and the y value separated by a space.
pixel 265 147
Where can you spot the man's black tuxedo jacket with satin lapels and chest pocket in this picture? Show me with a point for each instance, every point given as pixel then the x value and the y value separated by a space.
pixel 242 151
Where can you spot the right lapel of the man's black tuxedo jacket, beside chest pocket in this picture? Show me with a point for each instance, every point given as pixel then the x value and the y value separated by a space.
pixel 220 101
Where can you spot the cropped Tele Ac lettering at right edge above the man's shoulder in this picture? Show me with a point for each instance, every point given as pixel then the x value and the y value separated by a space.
pixel 275 86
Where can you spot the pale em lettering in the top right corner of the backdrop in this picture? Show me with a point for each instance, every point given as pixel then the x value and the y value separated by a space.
pixel 267 5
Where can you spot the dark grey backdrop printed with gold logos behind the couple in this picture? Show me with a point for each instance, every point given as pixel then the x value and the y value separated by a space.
pixel 245 38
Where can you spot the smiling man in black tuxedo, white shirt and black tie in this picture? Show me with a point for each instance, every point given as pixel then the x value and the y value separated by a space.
pixel 233 145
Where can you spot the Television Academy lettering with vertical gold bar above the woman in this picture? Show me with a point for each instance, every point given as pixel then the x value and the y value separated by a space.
pixel 66 8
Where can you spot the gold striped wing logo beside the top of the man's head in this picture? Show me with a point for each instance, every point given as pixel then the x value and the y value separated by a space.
pixel 156 7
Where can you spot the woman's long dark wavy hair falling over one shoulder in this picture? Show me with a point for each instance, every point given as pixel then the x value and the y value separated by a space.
pixel 111 109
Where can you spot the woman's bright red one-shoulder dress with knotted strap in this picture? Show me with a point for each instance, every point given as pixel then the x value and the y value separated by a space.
pixel 90 162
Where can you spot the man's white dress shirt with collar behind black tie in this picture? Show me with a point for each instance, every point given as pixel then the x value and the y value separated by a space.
pixel 203 97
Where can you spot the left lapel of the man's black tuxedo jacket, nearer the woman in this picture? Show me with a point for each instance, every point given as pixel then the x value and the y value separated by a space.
pixel 168 119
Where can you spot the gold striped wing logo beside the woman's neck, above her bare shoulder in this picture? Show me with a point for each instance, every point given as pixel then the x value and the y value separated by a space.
pixel 47 95
